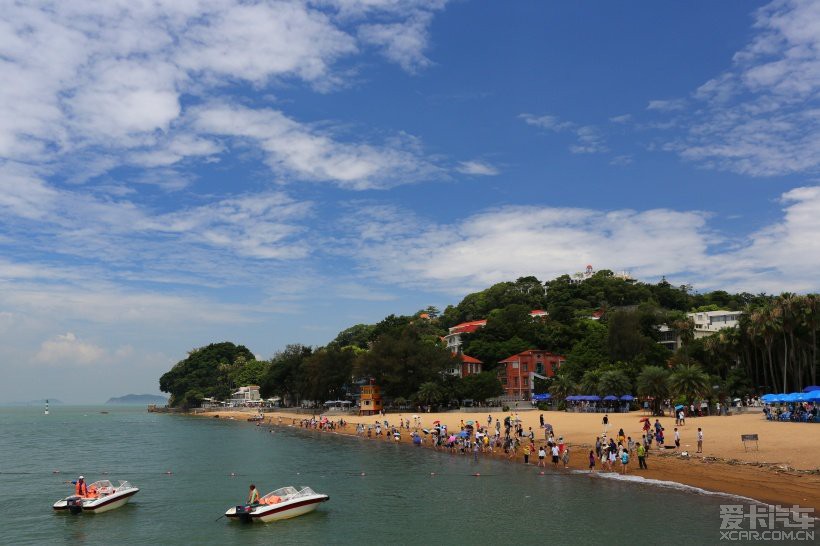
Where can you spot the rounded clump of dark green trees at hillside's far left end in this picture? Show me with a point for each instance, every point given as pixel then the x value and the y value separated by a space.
pixel 206 372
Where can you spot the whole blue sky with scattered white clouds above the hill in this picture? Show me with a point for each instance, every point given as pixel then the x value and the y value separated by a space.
pixel 178 173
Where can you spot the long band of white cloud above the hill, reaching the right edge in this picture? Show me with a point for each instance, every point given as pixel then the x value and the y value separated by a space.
pixel 496 245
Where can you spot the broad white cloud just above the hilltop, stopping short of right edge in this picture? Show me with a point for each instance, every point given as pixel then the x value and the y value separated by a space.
pixel 513 241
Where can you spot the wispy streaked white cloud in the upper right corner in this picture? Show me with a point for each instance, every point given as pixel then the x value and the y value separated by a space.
pixel 762 116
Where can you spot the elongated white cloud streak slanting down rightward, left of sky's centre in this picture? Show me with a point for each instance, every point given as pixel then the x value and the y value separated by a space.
pixel 312 154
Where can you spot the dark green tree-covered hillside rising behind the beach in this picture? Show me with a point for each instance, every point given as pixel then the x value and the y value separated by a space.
pixel 607 327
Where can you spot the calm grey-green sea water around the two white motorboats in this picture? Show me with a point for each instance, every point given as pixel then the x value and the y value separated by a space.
pixel 396 501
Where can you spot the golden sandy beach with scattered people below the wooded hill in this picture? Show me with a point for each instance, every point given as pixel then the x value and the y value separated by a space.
pixel 784 470
